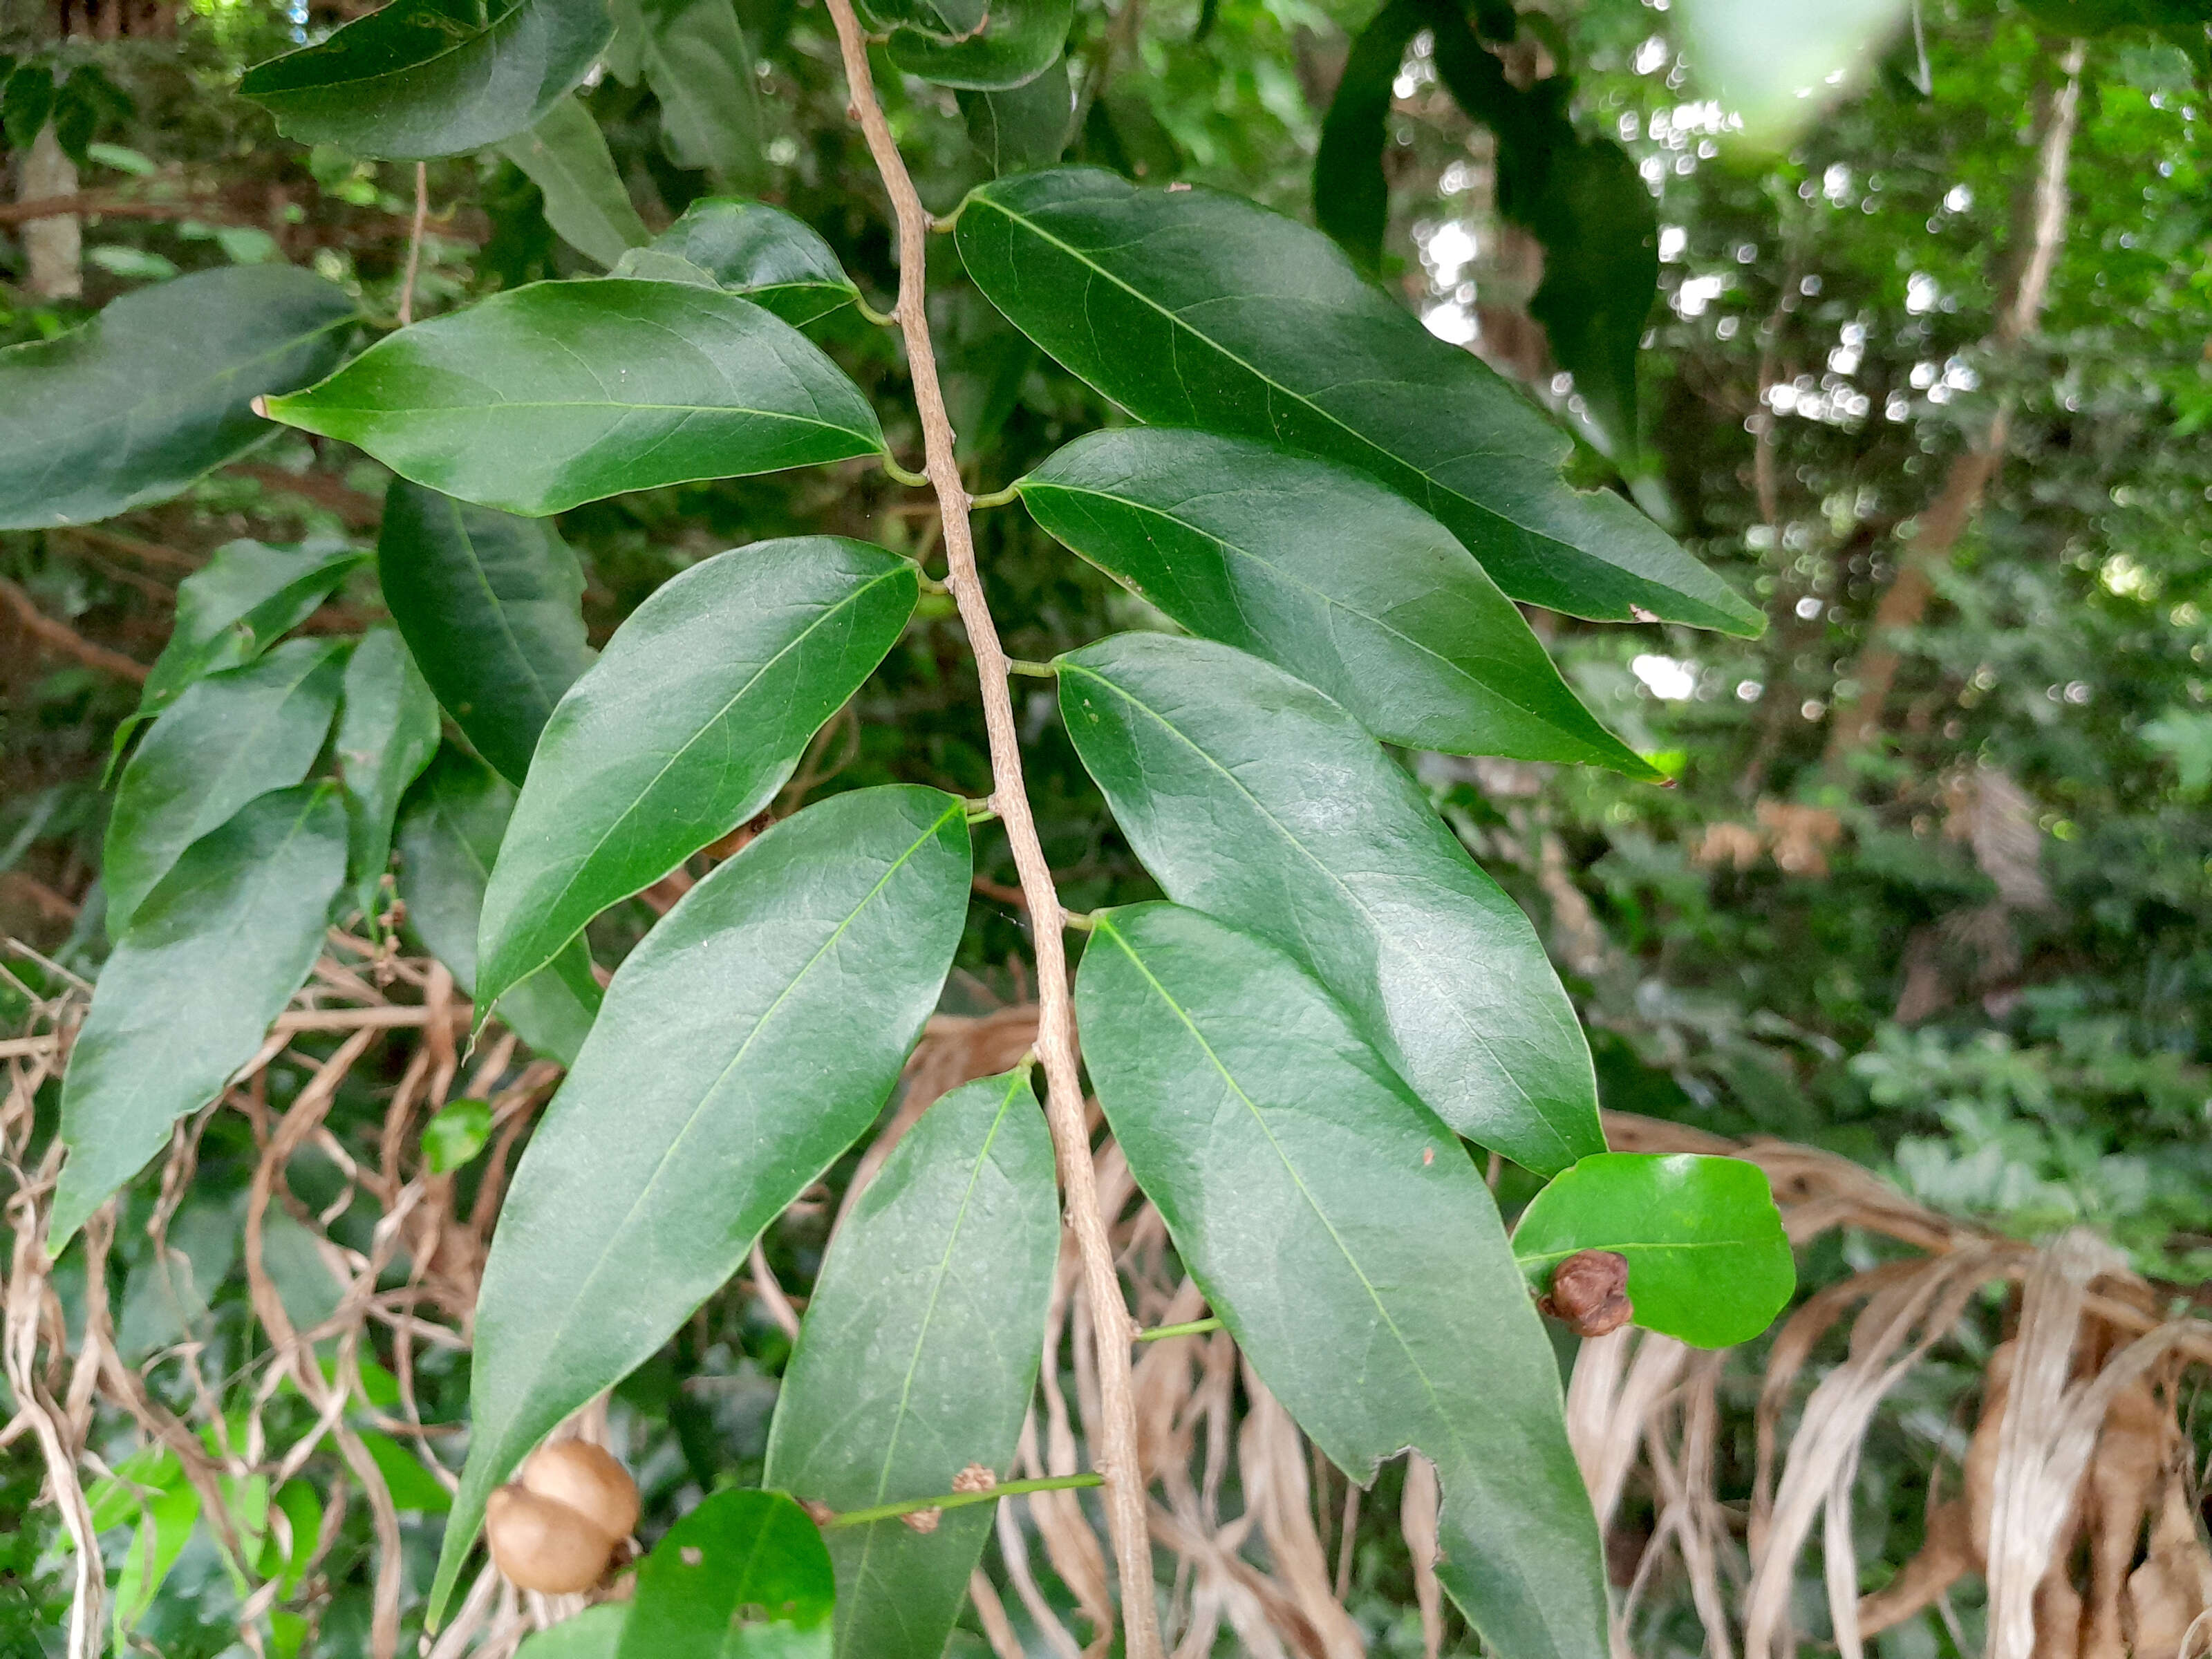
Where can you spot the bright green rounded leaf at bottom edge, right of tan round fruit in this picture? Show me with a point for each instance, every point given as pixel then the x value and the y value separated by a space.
pixel 740 1578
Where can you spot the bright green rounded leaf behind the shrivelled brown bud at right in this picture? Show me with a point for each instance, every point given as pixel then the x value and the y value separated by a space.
pixel 1707 1251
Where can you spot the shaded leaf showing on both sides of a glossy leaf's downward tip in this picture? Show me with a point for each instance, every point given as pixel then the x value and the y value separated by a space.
pixel 450 835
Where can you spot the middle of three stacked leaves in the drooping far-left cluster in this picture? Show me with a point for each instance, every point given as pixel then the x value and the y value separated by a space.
pixel 216 749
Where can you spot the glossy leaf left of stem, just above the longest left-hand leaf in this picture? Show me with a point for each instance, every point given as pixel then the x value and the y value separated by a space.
pixel 687 727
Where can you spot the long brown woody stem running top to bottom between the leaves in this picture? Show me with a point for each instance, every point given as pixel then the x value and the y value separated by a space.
pixel 1056 1012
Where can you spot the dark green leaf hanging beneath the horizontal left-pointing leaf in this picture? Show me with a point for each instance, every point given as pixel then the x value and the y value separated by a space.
pixel 492 612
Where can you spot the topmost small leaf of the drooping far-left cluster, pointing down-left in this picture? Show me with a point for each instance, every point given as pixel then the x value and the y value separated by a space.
pixel 236 607
